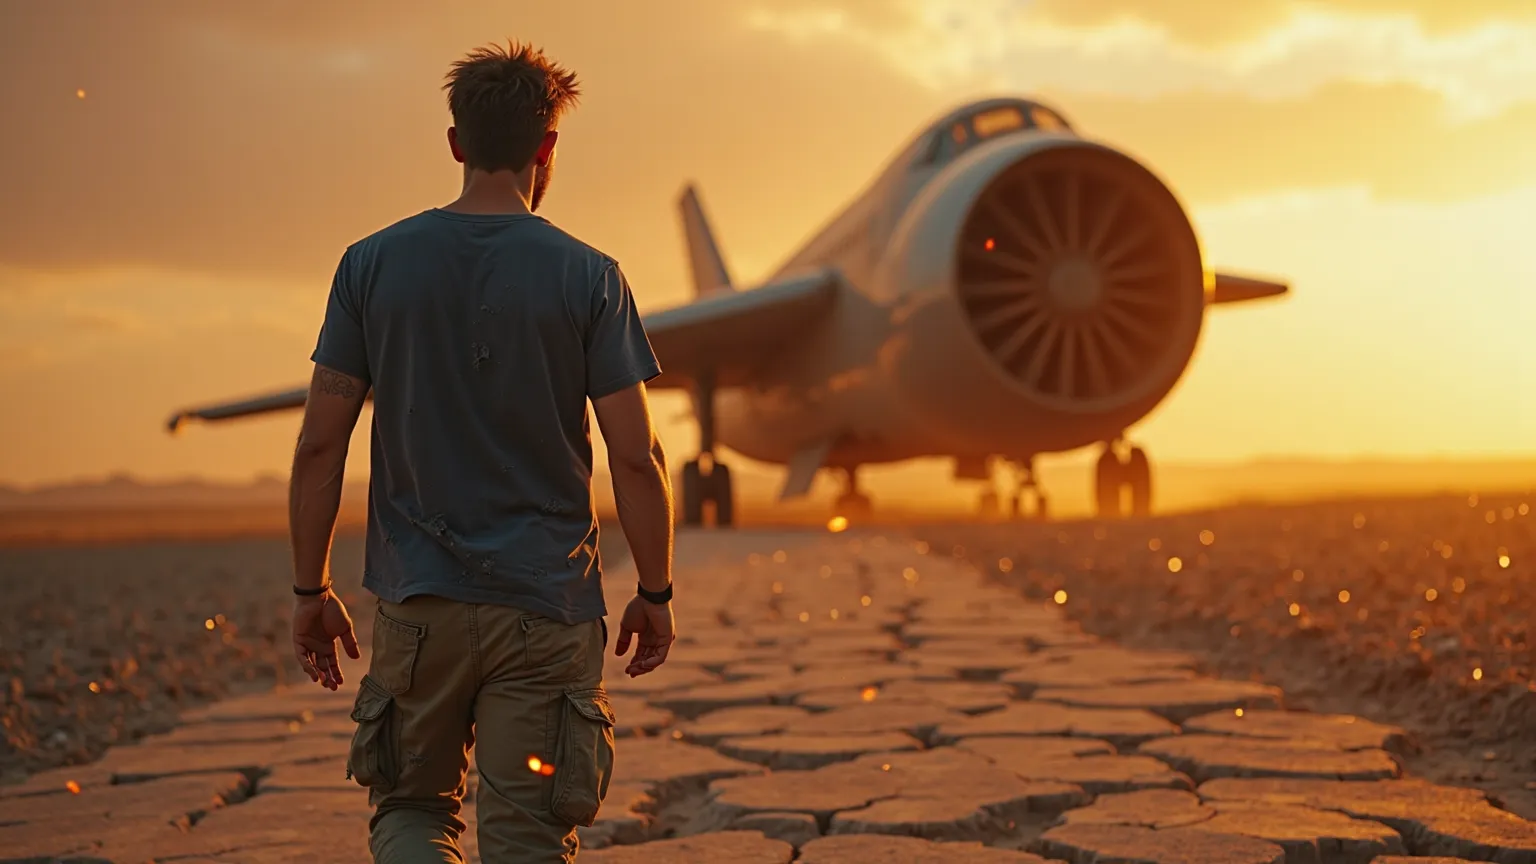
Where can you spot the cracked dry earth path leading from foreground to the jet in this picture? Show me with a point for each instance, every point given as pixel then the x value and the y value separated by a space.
pixel 833 700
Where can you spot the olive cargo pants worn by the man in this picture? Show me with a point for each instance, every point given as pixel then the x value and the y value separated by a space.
pixel 529 690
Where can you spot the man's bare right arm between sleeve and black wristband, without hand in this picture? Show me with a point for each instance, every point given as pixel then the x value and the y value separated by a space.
pixel 640 482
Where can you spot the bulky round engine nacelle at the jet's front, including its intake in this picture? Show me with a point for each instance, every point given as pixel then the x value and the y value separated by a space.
pixel 1065 279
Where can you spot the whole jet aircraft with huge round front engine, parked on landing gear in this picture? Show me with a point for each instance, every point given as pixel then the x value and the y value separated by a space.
pixel 1005 288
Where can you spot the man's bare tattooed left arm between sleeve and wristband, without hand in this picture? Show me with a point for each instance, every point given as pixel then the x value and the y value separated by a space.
pixel 320 460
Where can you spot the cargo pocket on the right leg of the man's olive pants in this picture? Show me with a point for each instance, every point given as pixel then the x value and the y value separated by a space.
pixel 584 757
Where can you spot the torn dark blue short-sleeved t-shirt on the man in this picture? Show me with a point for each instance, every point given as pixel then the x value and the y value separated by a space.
pixel 483 339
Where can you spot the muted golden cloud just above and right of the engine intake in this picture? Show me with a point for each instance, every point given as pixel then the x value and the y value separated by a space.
pixel 1394 141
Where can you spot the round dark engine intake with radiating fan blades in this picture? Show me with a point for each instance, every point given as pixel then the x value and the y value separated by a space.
pixel 1081 276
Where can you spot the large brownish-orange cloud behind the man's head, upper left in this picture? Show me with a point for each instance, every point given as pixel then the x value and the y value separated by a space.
pixel 245 141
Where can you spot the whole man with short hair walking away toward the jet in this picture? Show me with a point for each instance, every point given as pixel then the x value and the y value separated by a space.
pixel 483 331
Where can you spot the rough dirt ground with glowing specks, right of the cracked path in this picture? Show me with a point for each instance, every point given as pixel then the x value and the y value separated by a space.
pixel 1414 613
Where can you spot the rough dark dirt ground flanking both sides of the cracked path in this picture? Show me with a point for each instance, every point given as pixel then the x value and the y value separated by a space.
pixel 107 643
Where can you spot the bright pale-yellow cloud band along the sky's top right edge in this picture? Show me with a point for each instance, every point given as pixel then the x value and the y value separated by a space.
pixel 1481 68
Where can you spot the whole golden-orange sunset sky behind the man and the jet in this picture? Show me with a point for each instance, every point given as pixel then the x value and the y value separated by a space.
pixel 177 181
